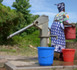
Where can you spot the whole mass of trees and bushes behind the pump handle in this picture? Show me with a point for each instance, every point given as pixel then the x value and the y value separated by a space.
pixel 12 20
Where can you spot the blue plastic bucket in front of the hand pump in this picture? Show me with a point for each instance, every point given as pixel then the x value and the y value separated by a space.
pixel 45 55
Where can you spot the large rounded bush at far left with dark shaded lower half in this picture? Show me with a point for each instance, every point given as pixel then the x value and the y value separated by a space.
pixel 8 19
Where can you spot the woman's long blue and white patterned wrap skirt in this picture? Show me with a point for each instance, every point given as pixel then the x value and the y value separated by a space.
pixel 59 43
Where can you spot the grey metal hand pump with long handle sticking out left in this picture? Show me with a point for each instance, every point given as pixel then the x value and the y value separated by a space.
pixel 42 24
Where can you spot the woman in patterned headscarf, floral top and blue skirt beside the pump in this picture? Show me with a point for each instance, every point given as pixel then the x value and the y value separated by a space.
pixel 57 29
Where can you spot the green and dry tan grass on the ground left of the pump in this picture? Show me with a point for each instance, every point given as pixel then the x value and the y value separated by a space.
pixel 21 46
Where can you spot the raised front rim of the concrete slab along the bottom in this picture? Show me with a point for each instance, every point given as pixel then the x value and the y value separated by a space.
pixel 9 66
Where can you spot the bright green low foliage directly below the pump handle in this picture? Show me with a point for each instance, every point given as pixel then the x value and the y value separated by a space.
pixel 31 39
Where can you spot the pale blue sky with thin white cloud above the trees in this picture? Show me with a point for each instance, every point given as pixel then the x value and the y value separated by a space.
pixel 47 7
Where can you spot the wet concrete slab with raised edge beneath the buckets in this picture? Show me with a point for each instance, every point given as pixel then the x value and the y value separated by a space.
pixel 33 65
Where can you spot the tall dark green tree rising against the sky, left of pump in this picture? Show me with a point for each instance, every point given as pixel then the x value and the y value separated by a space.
pixel 23 7
